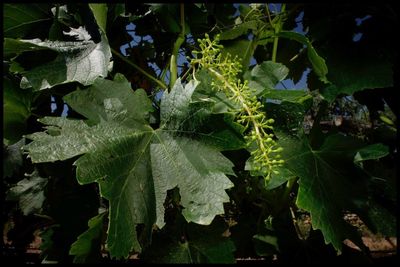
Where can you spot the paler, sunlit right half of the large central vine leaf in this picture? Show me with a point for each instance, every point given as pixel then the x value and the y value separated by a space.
pixel 197 169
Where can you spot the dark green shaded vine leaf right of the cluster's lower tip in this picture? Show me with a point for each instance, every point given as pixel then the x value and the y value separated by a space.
pixel 329 183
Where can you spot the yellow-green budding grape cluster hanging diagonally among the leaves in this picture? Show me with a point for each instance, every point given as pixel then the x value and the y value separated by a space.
pixel 265 157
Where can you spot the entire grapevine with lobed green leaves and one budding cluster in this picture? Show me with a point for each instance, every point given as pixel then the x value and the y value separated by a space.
pixel 141 165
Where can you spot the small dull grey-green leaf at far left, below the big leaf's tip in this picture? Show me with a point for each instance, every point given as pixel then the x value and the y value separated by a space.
pixel 29 193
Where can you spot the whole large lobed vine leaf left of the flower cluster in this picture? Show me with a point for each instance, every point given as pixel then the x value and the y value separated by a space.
pixel 134 164
